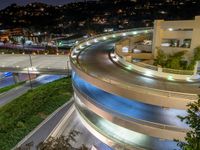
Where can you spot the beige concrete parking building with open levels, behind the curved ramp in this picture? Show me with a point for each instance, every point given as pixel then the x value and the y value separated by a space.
pixel 175 36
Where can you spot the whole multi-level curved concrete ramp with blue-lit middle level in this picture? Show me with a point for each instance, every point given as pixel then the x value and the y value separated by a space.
pixel 126 99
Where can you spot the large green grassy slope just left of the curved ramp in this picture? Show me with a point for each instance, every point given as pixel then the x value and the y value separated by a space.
pixel 22 115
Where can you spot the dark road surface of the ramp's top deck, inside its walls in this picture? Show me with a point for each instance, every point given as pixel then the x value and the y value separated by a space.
pixel 95 59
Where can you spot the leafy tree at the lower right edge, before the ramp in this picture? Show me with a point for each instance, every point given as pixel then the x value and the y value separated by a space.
pixel 192 139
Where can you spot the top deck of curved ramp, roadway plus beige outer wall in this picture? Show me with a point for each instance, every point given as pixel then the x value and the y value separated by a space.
pixel 95 66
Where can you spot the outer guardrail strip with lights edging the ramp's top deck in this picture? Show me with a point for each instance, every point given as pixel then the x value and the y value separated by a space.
pixel 77 49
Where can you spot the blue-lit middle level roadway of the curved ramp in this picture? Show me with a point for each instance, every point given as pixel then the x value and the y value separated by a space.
pixel 130 108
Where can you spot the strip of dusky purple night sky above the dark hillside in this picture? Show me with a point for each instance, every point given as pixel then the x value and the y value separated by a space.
pixel 5 3
